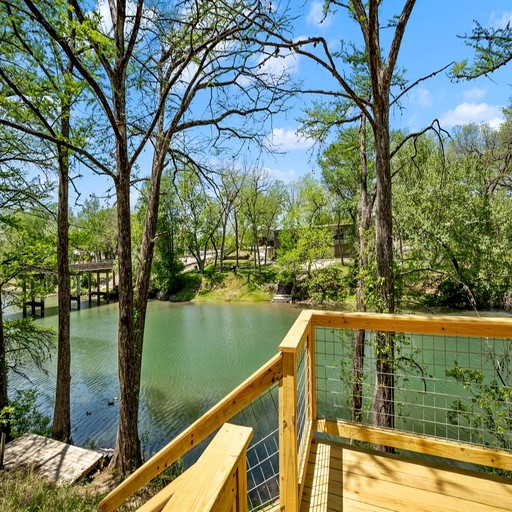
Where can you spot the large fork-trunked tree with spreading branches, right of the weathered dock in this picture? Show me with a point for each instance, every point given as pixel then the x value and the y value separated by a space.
pixel 154 72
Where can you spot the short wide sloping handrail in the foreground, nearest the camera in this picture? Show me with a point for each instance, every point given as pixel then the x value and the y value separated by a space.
pixel 211 483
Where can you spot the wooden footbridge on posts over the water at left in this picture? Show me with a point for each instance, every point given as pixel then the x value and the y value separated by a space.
pixel 103 270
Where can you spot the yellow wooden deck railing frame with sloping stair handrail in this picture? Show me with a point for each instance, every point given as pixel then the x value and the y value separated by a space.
pixel 298 420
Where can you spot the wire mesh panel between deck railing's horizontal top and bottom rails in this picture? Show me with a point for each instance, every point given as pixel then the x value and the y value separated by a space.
pixel 448 387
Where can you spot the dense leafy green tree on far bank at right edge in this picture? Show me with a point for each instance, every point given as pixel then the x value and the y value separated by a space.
pixel 454 218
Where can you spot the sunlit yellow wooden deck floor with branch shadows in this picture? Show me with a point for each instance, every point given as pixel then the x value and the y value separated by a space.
pixel 341 478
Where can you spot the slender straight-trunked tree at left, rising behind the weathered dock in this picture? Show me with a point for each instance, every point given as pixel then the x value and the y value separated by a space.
pixel 36 72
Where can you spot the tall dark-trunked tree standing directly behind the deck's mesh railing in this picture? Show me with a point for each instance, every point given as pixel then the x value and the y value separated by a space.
pixel 374 103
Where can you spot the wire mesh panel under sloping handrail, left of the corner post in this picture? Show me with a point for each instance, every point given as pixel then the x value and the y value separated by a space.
pixel 262 414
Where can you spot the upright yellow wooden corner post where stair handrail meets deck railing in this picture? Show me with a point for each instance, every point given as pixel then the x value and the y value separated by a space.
pixel 288 465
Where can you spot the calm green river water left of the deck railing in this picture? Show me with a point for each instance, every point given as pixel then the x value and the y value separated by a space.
pixel 193 355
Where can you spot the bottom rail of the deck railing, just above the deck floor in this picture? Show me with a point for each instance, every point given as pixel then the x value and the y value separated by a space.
pixel 463 452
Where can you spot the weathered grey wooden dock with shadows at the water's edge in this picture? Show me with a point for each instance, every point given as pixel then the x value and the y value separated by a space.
pixel 59 462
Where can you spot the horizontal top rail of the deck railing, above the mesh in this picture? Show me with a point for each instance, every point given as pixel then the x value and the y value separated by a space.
pixel 441 325
